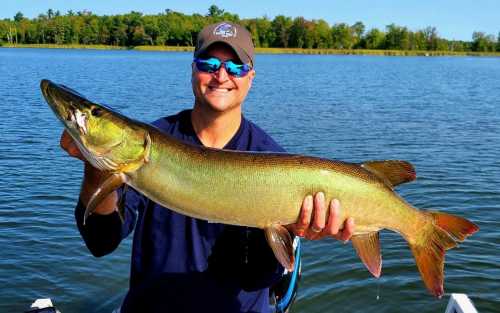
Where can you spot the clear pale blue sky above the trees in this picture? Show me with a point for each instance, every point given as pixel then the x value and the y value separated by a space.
pixel 454 19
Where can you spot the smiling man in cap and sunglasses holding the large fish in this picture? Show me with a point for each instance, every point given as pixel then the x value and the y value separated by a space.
pixel 179 263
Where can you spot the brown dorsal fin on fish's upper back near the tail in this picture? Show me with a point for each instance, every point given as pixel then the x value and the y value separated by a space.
pixel 392 172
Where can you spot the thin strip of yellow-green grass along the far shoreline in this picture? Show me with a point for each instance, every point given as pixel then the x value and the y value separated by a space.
pixel 267 50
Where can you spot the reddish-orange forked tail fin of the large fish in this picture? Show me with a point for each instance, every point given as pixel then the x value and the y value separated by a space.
pixel 443 232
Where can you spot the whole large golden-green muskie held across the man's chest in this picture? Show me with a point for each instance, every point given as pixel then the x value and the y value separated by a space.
pixel 263 190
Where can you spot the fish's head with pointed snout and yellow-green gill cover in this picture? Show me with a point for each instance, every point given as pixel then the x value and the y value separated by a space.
pixel 107 139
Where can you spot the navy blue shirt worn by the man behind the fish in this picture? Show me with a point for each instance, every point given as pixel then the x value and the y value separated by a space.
pixel 184 264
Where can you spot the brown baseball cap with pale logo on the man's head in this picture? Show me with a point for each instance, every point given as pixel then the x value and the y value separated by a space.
pixel 234 35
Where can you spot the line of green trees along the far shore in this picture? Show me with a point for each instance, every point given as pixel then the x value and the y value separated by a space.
pixel 177 29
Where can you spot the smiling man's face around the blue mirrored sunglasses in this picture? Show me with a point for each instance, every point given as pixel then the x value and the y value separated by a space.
pixel 220 91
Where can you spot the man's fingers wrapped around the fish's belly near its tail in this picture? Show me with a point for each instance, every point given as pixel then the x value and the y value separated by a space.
pixel 315 223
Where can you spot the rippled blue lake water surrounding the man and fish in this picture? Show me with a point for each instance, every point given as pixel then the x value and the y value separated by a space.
pixel 441 114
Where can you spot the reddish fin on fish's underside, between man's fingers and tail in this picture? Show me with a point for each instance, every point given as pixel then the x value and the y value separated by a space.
pixel 368 248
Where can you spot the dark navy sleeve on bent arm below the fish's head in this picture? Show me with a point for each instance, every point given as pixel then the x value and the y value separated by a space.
pixel 103 233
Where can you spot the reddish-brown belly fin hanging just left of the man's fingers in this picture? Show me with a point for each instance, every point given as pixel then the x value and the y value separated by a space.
pixel 281 243
